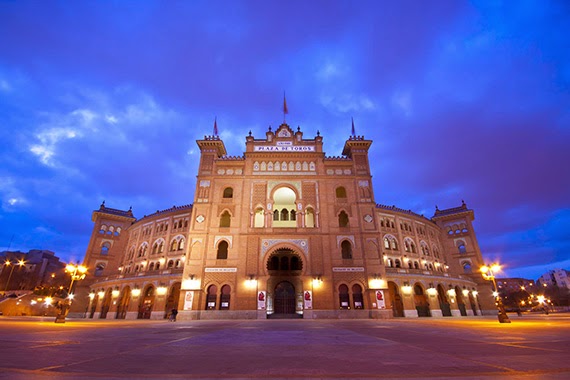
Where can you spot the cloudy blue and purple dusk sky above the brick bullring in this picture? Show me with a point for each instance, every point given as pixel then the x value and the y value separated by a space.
pixel 104 100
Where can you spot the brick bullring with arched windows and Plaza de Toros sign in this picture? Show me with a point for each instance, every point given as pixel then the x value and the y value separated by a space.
pixel 283 231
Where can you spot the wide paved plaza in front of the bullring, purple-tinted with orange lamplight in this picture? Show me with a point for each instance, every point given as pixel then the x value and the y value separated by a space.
pixel 532 347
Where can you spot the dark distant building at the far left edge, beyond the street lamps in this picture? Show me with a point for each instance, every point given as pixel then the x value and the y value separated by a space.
pixel 40 268
